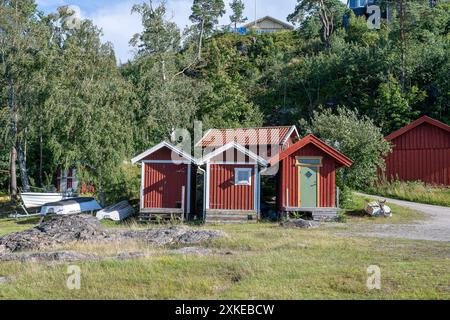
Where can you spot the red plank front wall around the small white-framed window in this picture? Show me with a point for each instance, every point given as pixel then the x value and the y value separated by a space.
pixel 224 194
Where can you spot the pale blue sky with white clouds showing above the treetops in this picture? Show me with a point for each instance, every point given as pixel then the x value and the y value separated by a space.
pixel 118 25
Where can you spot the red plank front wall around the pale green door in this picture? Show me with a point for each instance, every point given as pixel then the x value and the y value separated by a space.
pixel 288 178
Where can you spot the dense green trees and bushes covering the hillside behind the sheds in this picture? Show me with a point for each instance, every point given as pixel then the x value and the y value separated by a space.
pixel 64 100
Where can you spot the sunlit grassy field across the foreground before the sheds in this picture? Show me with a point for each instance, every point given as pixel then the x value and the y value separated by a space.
pixel 255 261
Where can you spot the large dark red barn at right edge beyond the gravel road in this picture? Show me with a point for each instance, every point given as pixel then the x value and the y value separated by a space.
pixel 421 151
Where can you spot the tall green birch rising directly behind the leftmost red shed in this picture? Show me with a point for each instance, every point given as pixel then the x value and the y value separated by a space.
pixel 166 97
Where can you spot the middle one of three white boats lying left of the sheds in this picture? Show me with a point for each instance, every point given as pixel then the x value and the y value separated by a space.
pixel 71 206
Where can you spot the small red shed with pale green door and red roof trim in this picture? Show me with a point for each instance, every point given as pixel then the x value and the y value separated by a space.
pixel 306 177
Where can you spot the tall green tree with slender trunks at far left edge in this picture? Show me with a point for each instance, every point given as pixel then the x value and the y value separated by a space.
pixel 21 45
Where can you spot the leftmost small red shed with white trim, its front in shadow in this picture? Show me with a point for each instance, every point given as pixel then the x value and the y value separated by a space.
pixel 167 181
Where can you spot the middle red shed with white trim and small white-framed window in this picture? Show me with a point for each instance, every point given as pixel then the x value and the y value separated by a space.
pixel 232 186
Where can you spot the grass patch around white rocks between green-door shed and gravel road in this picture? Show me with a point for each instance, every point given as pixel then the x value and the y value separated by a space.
pixel 354 212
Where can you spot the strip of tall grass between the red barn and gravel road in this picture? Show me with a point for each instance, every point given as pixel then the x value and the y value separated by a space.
pixel 413 191
